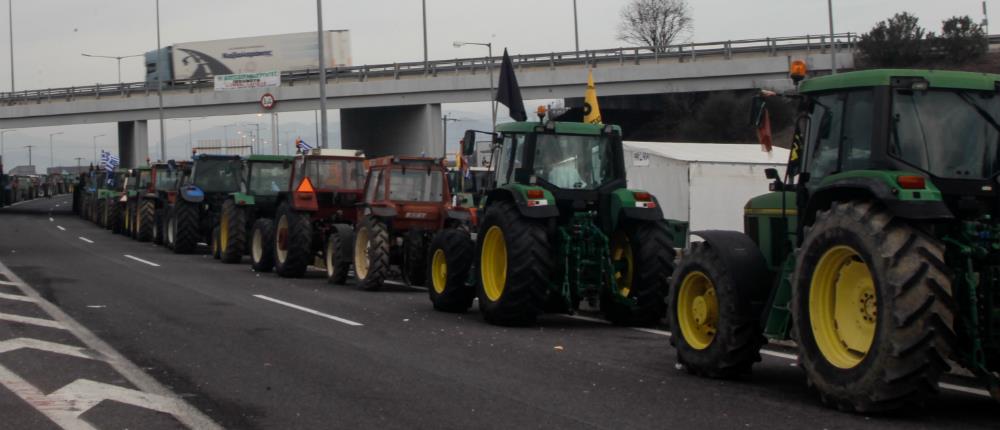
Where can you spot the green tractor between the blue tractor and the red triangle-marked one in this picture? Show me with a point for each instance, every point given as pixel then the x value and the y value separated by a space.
pixel 266 177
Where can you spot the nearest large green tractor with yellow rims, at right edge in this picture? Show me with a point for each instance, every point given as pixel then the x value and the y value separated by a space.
pixel 877 252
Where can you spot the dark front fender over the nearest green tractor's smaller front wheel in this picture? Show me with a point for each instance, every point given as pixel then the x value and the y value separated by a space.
pixel 744 261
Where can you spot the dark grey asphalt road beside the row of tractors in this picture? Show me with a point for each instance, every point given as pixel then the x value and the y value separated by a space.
pixel 255 351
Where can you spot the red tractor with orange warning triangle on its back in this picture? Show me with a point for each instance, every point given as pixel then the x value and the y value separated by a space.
pixel 312 223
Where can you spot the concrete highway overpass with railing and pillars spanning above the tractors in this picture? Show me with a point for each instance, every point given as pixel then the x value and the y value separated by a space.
pixel 396 108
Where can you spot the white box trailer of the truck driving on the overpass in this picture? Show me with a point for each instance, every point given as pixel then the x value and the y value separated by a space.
pixel 281 52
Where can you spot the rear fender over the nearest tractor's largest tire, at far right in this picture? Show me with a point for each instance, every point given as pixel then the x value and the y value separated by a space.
pixel 867 188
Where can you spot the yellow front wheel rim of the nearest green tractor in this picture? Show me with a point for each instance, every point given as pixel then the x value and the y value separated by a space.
pixel 698 310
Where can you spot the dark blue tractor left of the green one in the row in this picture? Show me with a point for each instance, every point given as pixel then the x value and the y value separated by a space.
pixel 198 204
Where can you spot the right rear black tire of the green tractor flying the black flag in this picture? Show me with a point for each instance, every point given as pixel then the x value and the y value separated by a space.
pixel 650 245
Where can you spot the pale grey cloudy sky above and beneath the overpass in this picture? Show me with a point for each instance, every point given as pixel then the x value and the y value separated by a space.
pixel 50 35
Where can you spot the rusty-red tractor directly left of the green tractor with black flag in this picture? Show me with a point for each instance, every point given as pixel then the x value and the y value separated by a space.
pixel 407 200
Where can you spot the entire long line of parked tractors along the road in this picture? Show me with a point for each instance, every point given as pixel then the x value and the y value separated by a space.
pixel 881 278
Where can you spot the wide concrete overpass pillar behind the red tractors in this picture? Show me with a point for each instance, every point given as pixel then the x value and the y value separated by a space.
pixel 394 130
